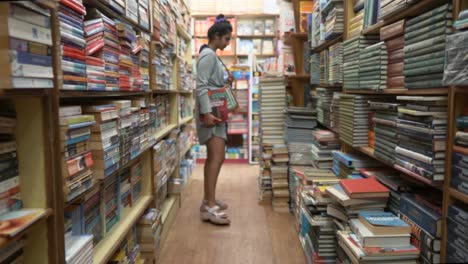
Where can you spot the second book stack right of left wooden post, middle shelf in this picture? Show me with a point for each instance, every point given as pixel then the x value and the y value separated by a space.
pixel 104 139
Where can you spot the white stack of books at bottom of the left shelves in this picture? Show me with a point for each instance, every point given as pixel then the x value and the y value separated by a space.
pixel 78 249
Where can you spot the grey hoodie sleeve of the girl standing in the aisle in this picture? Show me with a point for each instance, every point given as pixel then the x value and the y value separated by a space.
pixel 205 71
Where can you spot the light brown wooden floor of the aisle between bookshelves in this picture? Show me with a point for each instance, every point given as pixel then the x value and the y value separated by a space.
pixel 256 234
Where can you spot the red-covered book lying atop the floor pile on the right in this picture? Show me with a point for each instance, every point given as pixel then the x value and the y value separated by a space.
pixel 364 188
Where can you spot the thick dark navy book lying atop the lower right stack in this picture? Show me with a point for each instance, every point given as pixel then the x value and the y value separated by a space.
pixel 420 216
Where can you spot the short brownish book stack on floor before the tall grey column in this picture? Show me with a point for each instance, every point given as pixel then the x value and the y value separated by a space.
pixel 280 188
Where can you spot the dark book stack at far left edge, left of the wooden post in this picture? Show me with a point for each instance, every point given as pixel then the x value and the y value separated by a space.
pixel 9 167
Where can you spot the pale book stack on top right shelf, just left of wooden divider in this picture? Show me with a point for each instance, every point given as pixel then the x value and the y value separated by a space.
pixel 333 11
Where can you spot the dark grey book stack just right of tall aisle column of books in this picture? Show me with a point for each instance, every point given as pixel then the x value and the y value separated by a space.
pixel 300 121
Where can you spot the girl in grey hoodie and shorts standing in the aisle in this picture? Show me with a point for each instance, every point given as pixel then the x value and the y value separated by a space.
pixel 211 75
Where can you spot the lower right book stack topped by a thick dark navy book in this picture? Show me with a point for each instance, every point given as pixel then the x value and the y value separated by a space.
pixel 424 215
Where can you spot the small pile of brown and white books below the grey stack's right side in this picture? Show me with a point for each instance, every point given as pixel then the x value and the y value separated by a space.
pixel 324 143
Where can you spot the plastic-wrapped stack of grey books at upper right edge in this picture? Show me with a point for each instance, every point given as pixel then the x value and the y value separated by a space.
pixel 455 50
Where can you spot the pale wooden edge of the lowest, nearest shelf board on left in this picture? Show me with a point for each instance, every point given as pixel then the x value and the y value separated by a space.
pixel 106 248
